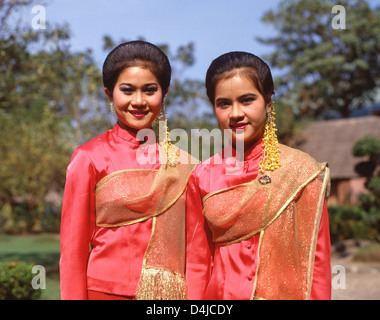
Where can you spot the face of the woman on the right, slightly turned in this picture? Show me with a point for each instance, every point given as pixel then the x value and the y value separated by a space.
pixel 239 105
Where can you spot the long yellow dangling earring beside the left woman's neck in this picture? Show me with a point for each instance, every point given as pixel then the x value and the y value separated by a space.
pixel 164 140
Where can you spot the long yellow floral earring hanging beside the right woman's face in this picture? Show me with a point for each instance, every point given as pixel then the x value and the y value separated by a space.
pixel 270 159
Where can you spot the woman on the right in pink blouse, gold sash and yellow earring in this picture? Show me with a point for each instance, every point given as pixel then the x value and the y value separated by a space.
pixel 257 221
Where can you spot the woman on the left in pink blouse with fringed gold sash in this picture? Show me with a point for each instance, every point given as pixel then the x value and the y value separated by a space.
pixel 123 214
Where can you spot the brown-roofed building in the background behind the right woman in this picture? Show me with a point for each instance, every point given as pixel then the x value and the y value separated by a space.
pixel 333 141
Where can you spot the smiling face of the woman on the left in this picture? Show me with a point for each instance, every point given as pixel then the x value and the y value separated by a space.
pixel 137 97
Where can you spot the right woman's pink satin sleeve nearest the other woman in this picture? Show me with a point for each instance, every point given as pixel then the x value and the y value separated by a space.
pixel 199 248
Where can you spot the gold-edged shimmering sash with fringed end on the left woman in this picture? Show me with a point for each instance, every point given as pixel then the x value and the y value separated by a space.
pixel 131 196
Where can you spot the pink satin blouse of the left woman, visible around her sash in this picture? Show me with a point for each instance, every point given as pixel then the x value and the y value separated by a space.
pixel 114 263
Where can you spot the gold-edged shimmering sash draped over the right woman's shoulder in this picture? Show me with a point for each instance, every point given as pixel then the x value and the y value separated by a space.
pixel 286 212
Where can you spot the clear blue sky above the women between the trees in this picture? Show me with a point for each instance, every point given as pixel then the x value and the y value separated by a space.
pixel 215 26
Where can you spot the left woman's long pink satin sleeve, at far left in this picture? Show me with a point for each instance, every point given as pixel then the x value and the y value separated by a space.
pixel 77 225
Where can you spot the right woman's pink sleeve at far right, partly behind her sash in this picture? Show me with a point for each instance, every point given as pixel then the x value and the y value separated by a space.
pixel 321 287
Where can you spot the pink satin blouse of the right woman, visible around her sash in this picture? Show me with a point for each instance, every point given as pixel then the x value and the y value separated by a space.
pixel 228 272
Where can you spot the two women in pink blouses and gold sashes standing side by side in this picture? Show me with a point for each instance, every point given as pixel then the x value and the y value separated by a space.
pixel 249 234
